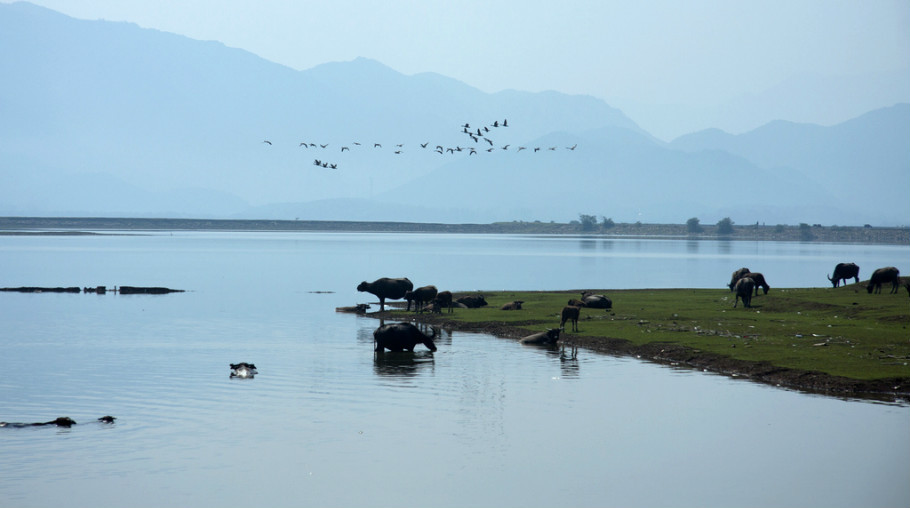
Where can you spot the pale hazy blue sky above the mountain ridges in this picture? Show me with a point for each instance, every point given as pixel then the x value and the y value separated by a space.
pixel 672 66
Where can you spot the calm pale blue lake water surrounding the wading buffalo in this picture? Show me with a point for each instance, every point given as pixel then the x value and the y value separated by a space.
pixel 482 422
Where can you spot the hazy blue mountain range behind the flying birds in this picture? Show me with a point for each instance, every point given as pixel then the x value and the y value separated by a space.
pixel 110 119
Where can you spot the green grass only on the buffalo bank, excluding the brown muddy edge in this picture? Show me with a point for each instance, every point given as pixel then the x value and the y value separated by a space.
pixel 842 332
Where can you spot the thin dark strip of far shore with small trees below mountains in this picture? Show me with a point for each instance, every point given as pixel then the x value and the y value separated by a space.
pixel 802 232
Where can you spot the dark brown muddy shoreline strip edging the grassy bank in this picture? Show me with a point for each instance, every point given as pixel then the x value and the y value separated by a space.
pixel 886 390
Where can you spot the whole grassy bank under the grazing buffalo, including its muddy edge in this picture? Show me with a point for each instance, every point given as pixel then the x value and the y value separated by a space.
pixel 816 338
